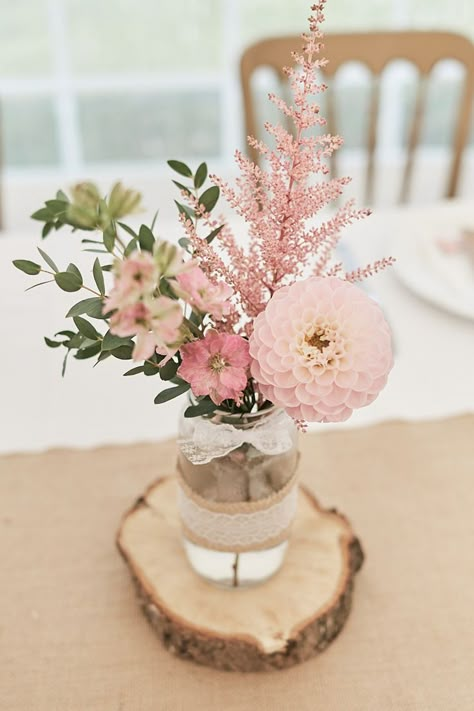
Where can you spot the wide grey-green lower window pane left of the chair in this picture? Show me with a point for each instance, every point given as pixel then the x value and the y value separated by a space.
pixel 146 127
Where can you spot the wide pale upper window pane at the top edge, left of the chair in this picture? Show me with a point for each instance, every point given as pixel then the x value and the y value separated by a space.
pixel 150 35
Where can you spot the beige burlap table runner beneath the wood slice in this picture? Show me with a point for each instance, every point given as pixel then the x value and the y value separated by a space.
pixel 72 637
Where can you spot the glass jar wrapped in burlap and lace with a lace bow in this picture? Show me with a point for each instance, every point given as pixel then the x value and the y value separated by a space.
pixel 237 493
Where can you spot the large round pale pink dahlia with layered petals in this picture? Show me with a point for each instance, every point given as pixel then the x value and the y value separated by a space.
pixel 320 349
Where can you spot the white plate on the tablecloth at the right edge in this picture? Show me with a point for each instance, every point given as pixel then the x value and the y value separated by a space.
pixel 444 279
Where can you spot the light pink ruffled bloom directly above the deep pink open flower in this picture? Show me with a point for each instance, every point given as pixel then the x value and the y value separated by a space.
pixel 195 288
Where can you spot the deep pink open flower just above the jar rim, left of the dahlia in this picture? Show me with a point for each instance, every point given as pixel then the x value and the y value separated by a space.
pixel 216 365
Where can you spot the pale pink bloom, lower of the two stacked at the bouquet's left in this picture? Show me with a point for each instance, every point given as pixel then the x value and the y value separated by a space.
pixel 156 325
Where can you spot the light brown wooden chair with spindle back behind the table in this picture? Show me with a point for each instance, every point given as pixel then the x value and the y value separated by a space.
pixel 375 50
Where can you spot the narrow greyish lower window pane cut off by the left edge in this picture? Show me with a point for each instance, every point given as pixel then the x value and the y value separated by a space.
pixel 29 129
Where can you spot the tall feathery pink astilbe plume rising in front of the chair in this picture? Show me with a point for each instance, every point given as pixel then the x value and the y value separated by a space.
pixel 279 202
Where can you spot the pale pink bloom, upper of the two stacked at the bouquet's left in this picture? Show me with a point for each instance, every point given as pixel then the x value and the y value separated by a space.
pixel 135 276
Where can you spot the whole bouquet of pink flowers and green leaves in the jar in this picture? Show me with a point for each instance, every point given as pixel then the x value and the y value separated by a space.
pixel 241 327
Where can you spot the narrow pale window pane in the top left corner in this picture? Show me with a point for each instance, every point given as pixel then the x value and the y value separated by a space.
pixel 24 38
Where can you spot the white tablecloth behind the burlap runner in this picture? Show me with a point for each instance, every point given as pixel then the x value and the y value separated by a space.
pixel 433 375
